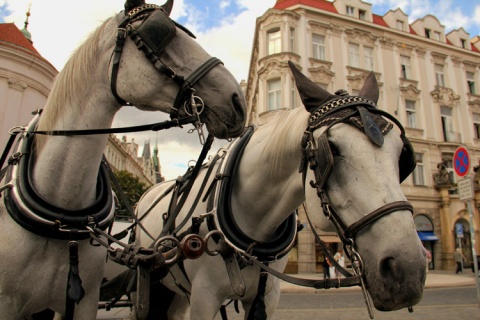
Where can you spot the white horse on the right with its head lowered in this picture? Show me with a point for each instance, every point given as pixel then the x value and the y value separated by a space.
pixel 356 176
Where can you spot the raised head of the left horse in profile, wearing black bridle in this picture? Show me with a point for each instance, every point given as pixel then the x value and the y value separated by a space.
pixel 157 65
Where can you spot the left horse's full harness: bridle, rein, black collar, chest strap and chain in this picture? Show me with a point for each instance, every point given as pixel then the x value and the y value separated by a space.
pixel 35 214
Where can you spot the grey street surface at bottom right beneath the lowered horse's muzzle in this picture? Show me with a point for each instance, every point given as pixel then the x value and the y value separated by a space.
pixel 437 304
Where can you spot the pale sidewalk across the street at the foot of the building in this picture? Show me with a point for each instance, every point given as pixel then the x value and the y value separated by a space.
pixel 435 279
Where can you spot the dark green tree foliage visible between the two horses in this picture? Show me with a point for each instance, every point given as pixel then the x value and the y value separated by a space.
pixel 133 189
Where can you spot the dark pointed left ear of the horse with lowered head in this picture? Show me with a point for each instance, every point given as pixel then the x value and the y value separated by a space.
pixel 311 94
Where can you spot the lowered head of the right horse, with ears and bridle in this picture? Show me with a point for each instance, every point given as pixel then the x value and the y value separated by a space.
pixel 359 161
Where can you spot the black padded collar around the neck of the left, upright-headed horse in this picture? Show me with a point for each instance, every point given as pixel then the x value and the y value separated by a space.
pixel 35 214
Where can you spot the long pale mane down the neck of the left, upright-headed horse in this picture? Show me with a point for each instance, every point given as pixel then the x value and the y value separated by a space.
pixel 69 83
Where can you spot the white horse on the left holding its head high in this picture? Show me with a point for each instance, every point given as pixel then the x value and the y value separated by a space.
pixel 63 170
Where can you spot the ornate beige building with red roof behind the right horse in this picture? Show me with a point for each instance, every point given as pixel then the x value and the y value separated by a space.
pixel 428 78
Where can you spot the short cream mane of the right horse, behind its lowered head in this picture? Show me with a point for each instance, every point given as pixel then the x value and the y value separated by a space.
pixel 283 142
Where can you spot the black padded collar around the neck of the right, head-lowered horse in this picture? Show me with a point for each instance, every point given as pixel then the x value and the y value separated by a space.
pixel 224 221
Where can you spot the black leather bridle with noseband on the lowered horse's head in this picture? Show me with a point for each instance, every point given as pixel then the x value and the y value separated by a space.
pixel 364 114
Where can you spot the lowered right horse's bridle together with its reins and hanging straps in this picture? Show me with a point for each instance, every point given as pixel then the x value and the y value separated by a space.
pixel 318 157
